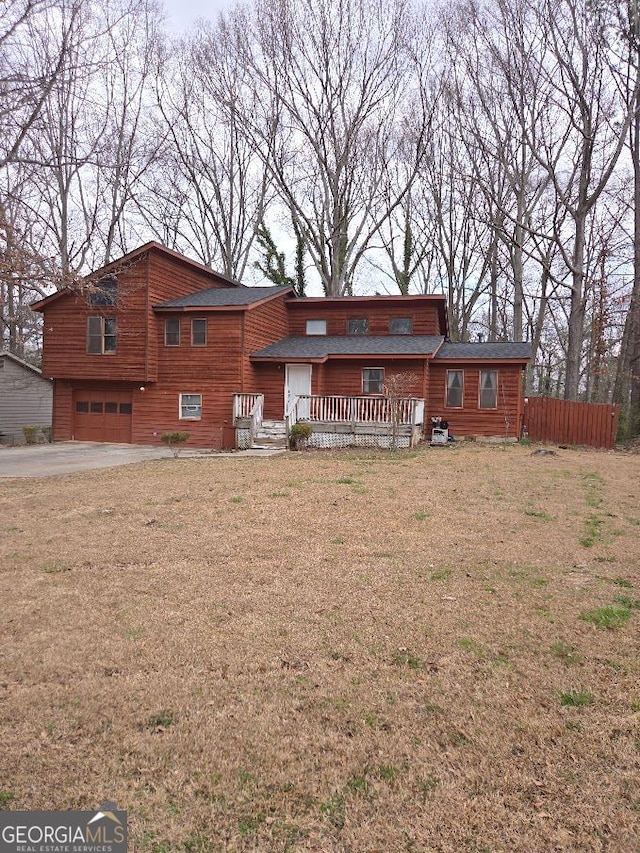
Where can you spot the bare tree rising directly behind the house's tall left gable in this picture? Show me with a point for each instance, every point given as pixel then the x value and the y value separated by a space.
pixel 218 185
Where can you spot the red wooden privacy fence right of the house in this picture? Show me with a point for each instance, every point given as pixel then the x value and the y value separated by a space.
pixel 564 422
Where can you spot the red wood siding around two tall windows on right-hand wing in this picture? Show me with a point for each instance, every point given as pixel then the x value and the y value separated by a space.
pixel 506 419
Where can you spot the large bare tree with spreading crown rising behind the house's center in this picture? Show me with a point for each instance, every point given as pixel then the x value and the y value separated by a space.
pixel 330 82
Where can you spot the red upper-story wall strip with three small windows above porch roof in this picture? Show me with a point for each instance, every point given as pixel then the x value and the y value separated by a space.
pixel 424 316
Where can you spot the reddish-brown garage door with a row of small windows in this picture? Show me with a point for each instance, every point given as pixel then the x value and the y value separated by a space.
pixel 102 415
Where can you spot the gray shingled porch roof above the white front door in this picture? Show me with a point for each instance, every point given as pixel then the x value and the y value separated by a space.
pixel 322 347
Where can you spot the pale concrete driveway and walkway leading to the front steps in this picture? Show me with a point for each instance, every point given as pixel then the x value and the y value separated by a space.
pixel 69 457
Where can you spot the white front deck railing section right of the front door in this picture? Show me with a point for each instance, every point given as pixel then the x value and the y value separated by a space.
pixel 338 409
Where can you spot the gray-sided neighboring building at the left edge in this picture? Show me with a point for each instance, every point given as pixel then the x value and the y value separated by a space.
pixel 26 399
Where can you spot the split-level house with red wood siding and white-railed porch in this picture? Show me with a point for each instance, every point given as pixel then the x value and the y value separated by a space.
pixel 155 342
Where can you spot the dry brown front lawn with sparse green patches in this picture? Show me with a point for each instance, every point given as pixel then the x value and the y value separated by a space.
pixel 328 652
